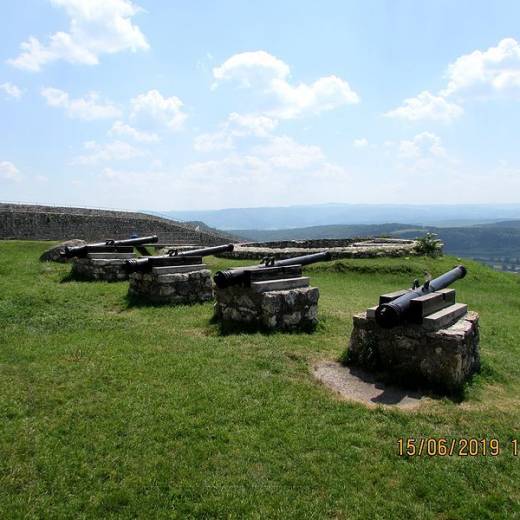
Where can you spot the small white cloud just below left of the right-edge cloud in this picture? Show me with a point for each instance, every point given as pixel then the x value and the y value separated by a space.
pixel 426 106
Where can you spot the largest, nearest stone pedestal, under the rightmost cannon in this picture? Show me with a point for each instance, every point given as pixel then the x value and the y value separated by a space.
pixel 441 353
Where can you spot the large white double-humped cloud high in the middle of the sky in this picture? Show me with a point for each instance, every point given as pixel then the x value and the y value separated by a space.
pixel 268 74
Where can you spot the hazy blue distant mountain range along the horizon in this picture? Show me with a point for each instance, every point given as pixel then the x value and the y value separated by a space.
pixel 333 214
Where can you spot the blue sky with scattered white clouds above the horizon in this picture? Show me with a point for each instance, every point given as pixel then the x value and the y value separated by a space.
pixel 198 105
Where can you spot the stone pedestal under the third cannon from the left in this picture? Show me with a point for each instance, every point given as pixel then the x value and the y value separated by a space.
pixel 283 308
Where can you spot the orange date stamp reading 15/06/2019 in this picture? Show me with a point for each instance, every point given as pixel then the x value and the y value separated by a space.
pixel 455 447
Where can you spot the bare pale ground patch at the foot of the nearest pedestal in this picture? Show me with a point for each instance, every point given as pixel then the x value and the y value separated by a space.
pixel 354 384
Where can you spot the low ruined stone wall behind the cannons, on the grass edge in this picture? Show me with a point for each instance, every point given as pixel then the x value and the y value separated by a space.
pixel 349 249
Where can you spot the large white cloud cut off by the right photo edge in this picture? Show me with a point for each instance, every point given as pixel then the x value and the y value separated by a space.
pixel 497 68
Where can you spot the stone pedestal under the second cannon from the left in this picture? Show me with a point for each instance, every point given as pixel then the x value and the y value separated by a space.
pixel 182 284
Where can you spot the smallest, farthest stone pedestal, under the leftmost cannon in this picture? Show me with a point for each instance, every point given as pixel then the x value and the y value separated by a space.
pixel 107 267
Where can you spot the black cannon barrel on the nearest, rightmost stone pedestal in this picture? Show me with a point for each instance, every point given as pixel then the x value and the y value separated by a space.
pixel 393 313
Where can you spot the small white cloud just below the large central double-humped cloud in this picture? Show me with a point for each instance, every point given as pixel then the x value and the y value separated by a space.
pixel 236 126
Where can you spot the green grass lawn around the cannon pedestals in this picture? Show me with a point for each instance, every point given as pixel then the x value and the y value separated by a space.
pixel 112 411
